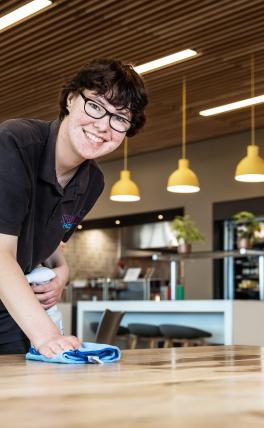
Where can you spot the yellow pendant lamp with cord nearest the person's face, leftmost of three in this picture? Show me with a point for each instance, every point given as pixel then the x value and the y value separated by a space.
pixel 125 190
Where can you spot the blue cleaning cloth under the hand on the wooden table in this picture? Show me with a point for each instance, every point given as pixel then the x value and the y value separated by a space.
pixel 89 353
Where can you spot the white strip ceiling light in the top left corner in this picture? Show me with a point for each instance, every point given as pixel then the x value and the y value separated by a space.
pixel 23 12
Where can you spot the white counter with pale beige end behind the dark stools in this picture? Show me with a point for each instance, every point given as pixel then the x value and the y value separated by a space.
pixel 231 322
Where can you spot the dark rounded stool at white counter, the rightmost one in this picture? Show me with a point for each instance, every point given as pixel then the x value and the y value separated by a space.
pixel 185 336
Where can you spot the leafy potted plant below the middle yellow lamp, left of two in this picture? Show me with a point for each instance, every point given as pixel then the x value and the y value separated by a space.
pixel 186 232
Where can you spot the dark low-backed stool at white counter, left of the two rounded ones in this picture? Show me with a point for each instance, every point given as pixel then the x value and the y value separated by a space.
pixel 144 332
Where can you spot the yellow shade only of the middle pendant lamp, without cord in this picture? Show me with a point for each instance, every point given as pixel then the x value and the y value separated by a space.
pixel 183 180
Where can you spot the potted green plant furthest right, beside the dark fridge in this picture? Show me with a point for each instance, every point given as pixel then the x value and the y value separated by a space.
pixel 246 227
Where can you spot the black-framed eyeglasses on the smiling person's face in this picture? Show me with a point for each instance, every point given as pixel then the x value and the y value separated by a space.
pixel 97 111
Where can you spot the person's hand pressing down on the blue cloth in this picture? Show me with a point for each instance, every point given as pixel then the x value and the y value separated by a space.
pixel 57 344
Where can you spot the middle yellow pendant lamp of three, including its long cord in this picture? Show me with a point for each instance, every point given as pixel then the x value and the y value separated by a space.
pixel 183 180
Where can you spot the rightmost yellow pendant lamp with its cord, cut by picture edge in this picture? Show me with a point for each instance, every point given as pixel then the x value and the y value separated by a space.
pixel 251 168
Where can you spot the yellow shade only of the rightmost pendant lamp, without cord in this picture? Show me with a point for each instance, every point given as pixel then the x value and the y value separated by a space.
pixel 251 168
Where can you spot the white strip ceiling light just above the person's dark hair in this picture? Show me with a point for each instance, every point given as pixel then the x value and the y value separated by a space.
pixel 165 61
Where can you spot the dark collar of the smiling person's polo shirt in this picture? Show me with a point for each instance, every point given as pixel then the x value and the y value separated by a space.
pixel 47 170
